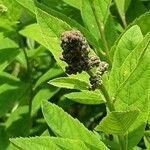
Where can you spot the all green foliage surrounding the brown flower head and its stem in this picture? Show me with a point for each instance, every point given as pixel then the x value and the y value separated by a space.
pixel 31 74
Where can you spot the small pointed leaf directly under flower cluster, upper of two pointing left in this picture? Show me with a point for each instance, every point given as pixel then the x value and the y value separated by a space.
pixel 69 83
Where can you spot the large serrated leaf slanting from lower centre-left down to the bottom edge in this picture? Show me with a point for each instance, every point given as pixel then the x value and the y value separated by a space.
pixel 67 127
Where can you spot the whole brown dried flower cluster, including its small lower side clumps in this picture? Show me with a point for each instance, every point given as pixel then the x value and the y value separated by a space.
pixel 76 55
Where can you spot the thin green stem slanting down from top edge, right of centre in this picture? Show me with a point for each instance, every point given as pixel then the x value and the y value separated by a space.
pixel 100 28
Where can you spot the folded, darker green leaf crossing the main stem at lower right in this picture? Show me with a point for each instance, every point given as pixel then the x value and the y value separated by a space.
pixel 118 122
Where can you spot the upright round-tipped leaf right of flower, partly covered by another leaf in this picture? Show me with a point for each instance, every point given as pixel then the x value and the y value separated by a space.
pixel 126 44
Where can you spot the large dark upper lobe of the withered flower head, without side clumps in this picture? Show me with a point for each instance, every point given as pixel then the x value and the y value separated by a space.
pixel 75 51
